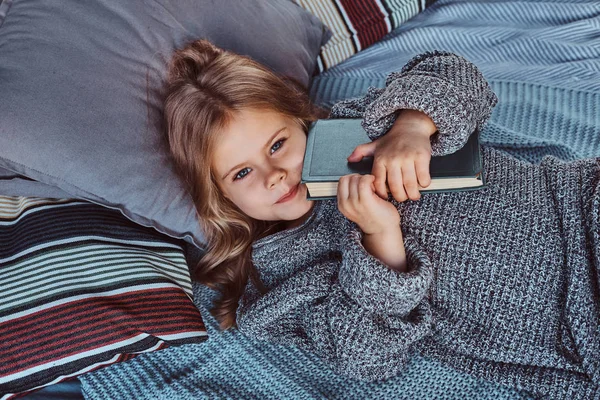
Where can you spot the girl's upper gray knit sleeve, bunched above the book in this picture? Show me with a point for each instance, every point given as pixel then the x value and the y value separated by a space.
pixel 448 88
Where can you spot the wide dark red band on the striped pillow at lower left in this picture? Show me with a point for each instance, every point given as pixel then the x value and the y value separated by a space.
pixel 145 311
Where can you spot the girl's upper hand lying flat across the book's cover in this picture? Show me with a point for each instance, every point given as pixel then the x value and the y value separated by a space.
pixel 401 157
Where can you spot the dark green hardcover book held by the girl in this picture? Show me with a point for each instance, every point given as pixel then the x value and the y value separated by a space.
pixel 331 141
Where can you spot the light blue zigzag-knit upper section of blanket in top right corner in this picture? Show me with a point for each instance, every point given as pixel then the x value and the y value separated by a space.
pixel 548 42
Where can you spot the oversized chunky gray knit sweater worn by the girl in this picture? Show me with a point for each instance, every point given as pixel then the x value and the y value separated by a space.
pixel 502 281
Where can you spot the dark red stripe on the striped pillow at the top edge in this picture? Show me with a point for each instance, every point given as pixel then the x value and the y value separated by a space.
pixel 368 20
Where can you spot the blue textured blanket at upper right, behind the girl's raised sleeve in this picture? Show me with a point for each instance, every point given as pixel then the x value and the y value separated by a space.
pixel 544 66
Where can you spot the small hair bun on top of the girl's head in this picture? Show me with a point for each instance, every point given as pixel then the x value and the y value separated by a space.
pixel 189 62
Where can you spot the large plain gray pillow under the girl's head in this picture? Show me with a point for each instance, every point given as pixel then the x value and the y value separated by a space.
pixel 80 93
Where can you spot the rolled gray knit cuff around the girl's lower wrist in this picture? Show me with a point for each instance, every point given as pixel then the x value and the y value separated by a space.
pixel 378 288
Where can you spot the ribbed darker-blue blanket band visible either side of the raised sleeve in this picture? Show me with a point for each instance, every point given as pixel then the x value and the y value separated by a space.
pixel 530 121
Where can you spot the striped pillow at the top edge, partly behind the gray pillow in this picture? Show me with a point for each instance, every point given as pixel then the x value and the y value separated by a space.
pixel 357 24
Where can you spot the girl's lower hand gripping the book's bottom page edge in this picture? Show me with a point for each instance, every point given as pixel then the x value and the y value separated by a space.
pixel 357 201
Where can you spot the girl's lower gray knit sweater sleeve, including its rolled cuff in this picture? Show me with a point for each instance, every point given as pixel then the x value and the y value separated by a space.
pixel 361 317
